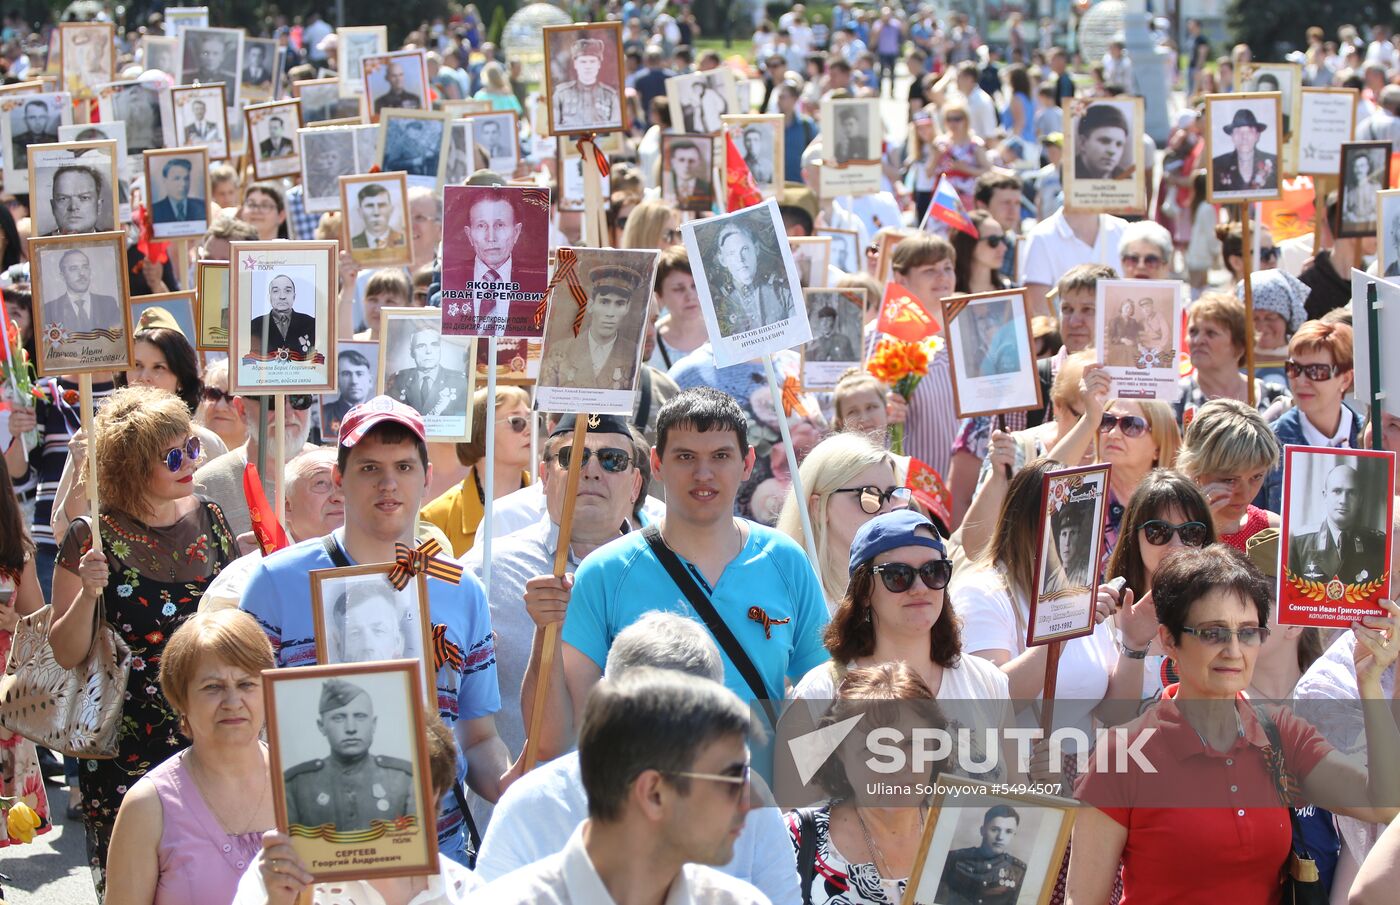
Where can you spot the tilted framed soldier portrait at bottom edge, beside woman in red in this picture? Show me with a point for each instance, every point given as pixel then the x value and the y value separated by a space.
pixel 1027 837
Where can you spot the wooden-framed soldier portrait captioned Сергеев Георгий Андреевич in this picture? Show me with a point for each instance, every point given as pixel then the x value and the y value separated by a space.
pixel 395 847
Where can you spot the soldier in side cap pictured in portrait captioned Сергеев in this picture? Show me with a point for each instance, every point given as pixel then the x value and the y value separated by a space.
pixel 351 787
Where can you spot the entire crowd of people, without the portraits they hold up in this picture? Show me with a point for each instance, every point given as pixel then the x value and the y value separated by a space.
pixel 689 590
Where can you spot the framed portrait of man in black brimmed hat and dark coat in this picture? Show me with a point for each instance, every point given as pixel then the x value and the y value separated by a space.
pixel 1242 134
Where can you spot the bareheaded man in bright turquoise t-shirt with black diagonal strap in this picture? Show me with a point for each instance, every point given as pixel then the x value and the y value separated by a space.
pixel 758 581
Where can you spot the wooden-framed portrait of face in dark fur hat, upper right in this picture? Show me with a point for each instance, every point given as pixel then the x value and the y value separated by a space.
pixel 1104 141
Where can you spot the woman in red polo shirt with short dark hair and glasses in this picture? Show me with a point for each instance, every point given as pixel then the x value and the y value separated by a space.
pixel 1210 817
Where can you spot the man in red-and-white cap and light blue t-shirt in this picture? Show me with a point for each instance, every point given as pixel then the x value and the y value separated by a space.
pixel 383 471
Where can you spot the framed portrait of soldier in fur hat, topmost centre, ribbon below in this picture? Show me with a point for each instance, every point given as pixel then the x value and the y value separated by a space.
pixel 584 78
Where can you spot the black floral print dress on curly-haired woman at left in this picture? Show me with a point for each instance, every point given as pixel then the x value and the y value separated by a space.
pixel 157 578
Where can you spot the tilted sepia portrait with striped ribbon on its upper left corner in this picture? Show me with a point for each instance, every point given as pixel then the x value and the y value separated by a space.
pixel 600 303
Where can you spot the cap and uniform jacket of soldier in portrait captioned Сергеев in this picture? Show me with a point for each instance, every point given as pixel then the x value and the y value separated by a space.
pixel 348 795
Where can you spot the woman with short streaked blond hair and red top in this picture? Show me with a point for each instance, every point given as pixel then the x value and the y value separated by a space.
pixel 1228 452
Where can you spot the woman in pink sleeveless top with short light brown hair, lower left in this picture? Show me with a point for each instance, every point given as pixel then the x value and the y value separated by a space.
pixel 191 827
